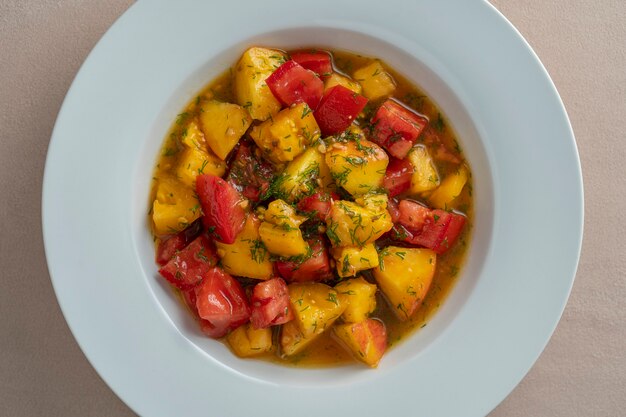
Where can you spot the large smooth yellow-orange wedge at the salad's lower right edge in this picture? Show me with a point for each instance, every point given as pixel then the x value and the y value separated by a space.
pixel 404 277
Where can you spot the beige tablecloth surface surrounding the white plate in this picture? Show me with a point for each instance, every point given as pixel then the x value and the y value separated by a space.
pixel 582 372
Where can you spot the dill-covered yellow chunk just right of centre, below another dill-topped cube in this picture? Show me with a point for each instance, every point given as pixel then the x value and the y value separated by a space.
pixel 352 224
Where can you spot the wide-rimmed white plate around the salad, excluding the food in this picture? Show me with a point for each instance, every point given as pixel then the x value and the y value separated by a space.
pixel 510 295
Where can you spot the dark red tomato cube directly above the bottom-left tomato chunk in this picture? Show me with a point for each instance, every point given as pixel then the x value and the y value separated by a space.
pixel 187 267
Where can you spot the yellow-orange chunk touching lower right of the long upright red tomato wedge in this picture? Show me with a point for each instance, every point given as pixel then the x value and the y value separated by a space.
pixel 247 256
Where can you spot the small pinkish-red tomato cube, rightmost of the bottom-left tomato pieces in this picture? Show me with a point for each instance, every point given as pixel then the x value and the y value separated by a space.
pixel 270 304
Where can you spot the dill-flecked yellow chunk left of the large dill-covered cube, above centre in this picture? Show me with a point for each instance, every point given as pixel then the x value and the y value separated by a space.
pixel 303 175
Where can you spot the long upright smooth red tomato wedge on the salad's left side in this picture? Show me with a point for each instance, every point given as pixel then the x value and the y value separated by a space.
pixel 223 207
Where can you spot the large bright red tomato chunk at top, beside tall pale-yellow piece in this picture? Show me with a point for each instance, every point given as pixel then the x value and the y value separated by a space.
pixel 291 83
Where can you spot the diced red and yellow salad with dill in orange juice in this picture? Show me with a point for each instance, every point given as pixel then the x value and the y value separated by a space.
pixel 311 207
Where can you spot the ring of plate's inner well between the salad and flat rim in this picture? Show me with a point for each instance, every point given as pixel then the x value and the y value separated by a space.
pixel 419 68
